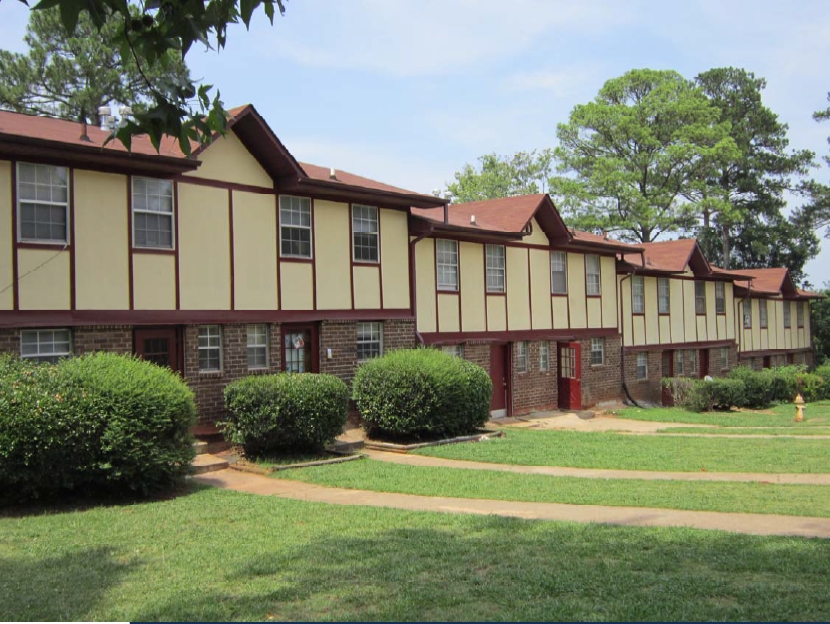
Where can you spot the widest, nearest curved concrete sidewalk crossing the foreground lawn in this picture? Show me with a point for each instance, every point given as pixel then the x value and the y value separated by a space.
pixel 752 524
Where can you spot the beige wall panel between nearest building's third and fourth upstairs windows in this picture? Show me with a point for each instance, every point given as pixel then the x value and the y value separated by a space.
pixel 332 250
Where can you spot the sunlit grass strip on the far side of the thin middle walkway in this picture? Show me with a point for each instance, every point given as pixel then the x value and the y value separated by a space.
pixel 631 452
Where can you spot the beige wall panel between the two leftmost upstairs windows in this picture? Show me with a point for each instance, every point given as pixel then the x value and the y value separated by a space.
pixel 101 241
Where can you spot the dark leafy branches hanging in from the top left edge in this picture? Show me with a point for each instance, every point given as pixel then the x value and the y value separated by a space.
pixel 179 108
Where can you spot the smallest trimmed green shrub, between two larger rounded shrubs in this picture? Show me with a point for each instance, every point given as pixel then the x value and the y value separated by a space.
pixel 296 411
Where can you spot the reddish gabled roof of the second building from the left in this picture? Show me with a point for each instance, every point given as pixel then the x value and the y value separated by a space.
pixel 512 216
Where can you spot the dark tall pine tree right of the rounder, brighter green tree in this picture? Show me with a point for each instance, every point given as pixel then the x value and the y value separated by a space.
pixel 748 188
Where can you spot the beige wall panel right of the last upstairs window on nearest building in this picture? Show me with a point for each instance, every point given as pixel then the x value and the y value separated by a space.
pixel 394 253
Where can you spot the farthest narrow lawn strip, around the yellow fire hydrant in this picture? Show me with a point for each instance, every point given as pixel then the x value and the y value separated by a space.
pixel 815 415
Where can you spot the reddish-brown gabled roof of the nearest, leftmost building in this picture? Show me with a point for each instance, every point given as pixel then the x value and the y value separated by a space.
pixel 30 136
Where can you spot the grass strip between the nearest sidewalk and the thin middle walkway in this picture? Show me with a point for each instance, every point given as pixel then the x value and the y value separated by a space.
pixel 378 476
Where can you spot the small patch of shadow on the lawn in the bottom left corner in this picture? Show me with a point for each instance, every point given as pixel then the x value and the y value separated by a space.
pixel 62 588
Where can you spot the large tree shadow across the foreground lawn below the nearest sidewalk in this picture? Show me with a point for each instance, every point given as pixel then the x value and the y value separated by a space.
pixel 462 568
